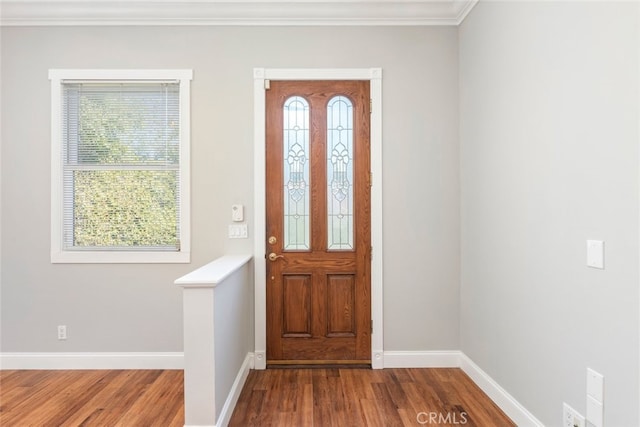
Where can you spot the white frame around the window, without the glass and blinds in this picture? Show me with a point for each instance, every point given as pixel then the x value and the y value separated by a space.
pixel 58 252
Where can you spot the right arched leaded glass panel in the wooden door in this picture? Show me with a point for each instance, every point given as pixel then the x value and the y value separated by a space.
pixel 340 173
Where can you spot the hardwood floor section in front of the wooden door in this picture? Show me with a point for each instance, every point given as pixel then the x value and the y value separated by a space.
pixel 363 397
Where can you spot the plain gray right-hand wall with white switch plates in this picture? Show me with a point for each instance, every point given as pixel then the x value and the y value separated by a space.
pixel 549 159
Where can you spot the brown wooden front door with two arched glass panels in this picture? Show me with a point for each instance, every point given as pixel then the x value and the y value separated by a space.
pixel 318 242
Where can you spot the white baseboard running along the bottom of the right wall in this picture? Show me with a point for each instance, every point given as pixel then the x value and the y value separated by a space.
pixel 514 410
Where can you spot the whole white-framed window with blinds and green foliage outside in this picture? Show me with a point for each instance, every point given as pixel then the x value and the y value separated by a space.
pixel 120 166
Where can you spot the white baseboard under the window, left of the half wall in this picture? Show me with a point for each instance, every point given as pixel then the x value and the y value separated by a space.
pixel 55 361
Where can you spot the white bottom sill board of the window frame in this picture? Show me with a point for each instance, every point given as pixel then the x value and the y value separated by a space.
pixel 108 257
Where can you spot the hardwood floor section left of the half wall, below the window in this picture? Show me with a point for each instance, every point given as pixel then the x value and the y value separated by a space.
pixel 91 398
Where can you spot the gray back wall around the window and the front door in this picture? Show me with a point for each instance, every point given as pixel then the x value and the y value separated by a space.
pixel 137 307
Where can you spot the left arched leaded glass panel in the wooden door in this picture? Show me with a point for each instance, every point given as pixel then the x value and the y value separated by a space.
pixel 296 174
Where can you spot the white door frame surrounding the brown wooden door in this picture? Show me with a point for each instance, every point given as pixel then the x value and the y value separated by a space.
pixel 260 75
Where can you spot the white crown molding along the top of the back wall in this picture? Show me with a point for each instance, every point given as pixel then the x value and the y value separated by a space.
pixel 233 12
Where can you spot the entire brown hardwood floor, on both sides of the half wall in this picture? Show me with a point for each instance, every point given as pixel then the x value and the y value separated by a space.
pixel 275 397
